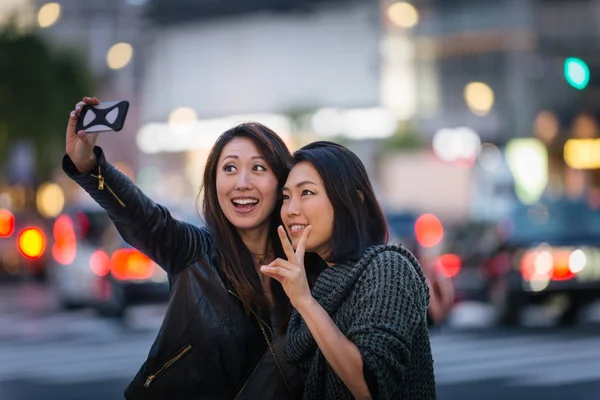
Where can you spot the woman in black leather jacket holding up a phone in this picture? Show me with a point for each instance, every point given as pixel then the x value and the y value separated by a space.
pixel 223 333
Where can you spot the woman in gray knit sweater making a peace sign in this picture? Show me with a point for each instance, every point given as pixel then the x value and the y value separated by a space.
pixel 362 331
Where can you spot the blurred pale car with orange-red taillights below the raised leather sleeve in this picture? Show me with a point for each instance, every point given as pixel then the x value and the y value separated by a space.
pixel 92 266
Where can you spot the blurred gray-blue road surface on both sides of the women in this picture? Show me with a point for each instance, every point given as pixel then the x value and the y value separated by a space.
pixel 76 355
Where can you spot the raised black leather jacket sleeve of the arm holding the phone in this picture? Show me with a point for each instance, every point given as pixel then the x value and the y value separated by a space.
pixel 144 224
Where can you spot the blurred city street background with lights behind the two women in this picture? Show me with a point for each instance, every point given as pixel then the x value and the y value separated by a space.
pixel 478 124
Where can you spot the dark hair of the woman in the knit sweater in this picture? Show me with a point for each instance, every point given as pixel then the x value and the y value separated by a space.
pixel 358 220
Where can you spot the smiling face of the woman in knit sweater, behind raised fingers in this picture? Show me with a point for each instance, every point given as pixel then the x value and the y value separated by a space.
pixel 305 202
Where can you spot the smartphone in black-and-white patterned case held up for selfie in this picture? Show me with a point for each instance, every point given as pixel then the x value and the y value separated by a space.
pixel 103 117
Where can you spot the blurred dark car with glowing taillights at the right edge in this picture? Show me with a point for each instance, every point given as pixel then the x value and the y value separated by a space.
pixel 551 249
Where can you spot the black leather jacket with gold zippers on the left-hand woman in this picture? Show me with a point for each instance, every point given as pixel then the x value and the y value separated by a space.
pixel 207 346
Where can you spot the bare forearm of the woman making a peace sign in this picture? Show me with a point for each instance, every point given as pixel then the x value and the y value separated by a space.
pixel 341 354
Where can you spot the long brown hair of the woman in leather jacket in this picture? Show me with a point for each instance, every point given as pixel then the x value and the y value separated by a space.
pixel 233 257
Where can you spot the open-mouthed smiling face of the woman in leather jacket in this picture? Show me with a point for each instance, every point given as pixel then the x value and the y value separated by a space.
pixel 247 188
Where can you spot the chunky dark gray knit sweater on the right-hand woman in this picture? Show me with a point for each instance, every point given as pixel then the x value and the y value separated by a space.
pixel 380 304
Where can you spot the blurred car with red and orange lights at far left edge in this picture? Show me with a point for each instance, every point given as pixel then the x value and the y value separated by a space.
pixel 23 245
